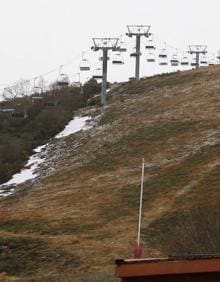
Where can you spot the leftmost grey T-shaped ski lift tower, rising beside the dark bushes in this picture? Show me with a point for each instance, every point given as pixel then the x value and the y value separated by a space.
pixel 105 45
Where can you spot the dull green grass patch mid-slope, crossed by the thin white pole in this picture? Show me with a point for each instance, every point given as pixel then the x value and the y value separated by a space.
pixel 160 185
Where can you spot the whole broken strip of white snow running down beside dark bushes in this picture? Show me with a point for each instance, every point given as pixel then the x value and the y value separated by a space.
pixel 29 172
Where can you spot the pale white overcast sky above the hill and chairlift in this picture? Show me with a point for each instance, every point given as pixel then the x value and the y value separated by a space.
pixel 39 35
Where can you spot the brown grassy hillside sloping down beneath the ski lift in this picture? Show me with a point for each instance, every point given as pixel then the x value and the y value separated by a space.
pixel 72 224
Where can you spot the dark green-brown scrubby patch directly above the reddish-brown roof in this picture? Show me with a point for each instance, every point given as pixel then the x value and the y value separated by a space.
pixel 195 231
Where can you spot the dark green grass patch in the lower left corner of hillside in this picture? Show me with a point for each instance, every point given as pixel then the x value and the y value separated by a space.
pixel 25 256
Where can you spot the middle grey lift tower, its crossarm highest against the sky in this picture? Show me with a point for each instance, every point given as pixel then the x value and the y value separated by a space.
pixel 138 31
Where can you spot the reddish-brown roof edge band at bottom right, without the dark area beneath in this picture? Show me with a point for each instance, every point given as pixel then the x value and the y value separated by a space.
pixel 167 266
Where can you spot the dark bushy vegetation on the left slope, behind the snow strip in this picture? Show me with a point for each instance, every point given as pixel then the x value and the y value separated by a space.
pixel 34 124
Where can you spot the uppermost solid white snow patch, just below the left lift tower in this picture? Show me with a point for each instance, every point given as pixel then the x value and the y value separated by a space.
pixel 75 125
